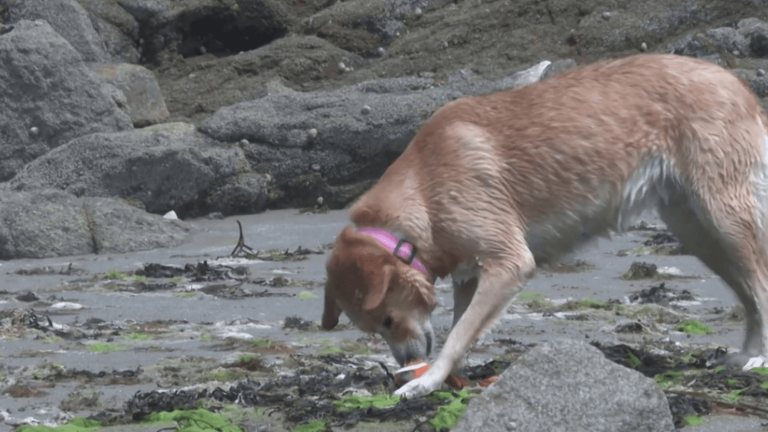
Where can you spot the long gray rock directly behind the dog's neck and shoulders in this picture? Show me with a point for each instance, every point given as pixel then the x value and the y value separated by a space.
pixel 308 141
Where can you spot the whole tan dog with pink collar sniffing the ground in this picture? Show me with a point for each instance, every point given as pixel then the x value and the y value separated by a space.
pixel 491 183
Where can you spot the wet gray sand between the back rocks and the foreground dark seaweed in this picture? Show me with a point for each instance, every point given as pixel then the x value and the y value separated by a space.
pixel 104 319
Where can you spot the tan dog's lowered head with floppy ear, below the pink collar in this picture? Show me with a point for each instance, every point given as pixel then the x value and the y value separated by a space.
pixel 380 294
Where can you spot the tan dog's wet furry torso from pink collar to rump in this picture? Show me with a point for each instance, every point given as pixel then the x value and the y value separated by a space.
pixel 579 154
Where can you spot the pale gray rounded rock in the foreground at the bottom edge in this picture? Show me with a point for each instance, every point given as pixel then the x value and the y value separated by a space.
pixel 568 385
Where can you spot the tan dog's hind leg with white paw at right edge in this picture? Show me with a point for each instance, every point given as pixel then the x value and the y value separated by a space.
pixel 727 239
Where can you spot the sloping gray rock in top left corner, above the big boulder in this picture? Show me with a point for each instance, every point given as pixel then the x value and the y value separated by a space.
pixel 69 19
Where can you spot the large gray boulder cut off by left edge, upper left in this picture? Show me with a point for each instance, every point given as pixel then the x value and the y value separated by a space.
pixel 48 96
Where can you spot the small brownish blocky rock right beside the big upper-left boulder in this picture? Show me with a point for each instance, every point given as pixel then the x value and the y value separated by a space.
pixel 143 99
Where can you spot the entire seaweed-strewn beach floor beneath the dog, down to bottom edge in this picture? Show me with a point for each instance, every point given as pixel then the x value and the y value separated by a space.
pixel 231 326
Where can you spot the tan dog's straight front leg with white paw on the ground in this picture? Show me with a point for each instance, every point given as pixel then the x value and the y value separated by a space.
pixel 495 289
